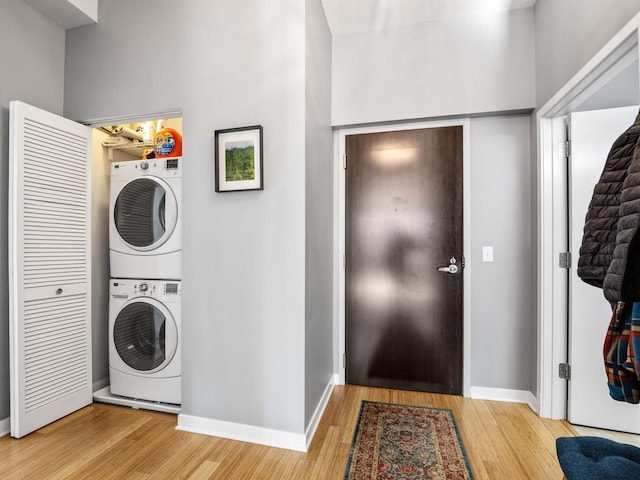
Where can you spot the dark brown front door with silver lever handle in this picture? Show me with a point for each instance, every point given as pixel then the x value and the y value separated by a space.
pixel 404 317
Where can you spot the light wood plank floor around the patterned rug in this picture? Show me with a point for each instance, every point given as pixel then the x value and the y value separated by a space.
pixel 503 441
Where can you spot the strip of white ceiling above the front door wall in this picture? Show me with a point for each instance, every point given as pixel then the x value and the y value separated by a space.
pixel 349 16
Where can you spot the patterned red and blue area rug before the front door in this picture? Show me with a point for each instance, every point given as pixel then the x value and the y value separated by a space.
pixel 399 442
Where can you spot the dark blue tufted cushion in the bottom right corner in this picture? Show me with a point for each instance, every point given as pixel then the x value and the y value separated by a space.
pixel 595 458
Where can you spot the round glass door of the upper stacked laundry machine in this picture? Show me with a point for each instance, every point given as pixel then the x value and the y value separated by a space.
pixel 145 213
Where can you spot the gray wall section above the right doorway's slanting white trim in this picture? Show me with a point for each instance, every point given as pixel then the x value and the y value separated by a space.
pixel 569 33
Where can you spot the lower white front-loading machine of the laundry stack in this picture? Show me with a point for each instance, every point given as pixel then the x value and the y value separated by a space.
pixel 144 339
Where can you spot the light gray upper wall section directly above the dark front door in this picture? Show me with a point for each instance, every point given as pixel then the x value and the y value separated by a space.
pixel 466 65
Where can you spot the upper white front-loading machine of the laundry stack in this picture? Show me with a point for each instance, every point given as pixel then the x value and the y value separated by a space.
pixel 145 226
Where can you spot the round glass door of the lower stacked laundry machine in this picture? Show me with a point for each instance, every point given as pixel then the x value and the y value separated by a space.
pixel 145 335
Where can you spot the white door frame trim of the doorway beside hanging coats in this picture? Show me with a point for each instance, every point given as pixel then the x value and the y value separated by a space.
pixel 551 288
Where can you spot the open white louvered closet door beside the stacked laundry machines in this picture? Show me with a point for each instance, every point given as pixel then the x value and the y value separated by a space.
pixel 49 267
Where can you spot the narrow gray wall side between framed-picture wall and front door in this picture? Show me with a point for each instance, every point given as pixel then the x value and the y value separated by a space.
pixel 319 341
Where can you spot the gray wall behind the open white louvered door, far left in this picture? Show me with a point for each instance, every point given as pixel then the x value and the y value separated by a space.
pixel 31 70
